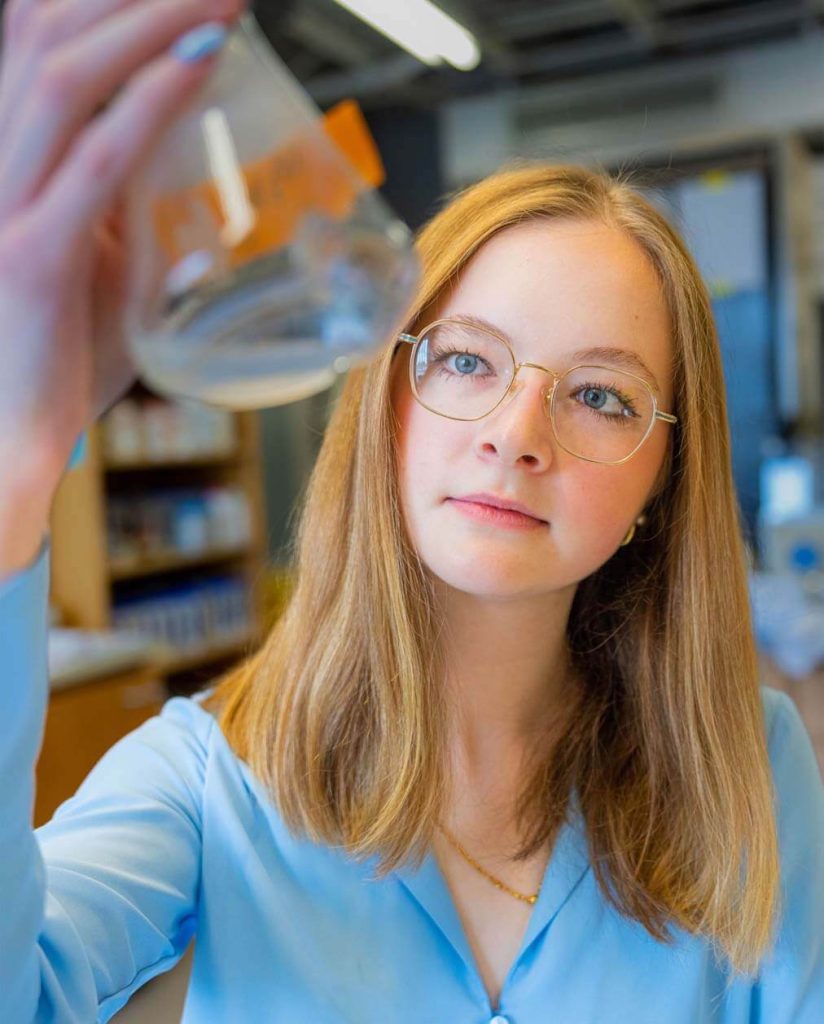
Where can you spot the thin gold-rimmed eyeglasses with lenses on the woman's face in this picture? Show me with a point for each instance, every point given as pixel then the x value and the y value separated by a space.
pixel 464 372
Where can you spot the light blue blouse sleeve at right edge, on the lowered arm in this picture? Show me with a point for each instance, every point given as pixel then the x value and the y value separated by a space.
pixel 791 986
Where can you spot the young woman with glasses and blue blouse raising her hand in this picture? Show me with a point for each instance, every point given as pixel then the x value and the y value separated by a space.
pixel 491 765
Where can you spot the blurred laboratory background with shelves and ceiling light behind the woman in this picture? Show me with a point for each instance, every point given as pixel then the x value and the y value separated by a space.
pixel 171 536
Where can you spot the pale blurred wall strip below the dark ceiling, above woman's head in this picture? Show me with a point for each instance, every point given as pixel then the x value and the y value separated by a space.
pixel 761 92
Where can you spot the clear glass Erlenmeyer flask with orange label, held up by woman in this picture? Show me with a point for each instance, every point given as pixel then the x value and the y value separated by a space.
pixel 264 265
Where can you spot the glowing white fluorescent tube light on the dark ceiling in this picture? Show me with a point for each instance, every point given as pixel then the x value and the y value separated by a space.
pixel 420 27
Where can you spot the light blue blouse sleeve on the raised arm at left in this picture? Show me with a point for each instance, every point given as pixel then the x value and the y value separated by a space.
pixel 104 898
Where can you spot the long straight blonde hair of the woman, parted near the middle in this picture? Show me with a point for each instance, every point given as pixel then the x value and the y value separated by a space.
pixel 341 714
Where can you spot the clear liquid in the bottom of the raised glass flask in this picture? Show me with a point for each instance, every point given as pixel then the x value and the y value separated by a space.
pixel 283 327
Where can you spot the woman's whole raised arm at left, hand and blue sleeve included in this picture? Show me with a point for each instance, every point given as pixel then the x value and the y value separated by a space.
pixel 103 898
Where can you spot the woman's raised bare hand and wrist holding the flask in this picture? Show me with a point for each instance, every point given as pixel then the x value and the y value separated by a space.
pixel 88 88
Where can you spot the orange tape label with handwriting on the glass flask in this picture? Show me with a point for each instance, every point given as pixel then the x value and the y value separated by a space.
pixel 257 208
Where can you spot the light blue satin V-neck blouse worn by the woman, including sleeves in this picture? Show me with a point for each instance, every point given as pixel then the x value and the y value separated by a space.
pixel 171 837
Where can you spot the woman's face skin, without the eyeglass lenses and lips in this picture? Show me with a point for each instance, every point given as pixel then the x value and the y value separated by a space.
pixel 551 287
